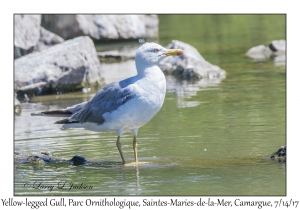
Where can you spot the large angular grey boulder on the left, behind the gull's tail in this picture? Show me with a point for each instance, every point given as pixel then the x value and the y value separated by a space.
pixel 63 67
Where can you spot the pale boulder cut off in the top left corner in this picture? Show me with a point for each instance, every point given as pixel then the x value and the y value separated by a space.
pixel 27 33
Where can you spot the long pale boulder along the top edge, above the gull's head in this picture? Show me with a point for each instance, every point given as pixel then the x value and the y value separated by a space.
pixel 102 26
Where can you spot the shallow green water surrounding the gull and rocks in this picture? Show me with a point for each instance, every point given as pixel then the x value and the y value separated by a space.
pixel 210 138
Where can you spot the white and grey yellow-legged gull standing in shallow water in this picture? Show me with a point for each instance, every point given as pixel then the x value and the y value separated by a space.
pixel 126 105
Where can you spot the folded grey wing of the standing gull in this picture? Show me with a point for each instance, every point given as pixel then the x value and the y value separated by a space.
pixel 107 99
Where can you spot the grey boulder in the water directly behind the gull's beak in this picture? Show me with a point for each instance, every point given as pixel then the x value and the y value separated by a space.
pixel 189 65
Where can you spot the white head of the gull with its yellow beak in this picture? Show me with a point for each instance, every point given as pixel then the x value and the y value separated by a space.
pixel 151 53
